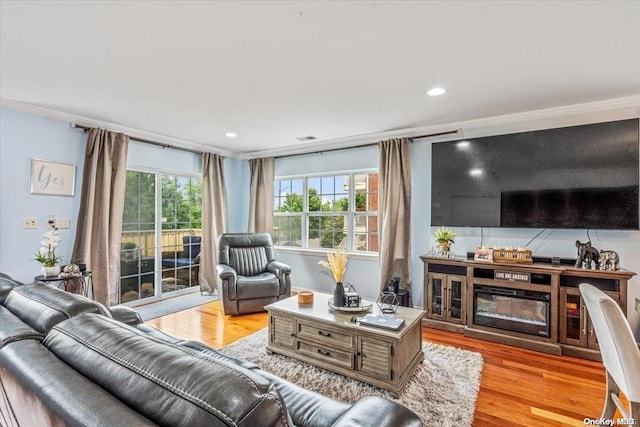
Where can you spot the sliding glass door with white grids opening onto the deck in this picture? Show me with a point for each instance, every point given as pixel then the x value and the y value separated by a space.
pixel 161 233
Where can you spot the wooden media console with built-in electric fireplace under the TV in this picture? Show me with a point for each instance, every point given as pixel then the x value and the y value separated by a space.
pixel 535 306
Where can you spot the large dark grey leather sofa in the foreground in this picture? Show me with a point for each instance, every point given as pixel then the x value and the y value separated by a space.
pixel 68 361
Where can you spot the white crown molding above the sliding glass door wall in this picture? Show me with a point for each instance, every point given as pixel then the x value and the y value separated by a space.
pixel 133 132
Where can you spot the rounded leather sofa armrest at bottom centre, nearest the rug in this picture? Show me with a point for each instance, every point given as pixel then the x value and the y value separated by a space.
pixel 373 410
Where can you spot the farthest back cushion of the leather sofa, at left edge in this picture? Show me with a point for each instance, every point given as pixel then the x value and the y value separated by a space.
pixel 44 306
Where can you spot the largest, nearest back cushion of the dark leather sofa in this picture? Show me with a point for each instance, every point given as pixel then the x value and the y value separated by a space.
pixel 167 383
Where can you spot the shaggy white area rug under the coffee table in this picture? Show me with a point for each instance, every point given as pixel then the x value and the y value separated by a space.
pixel 442 391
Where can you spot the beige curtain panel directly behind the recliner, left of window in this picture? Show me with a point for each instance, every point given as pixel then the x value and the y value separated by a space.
pixel 261 199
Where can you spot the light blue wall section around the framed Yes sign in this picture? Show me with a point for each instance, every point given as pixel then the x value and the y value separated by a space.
pixel 23 137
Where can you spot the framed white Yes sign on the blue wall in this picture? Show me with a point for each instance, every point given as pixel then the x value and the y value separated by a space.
pixel 53 178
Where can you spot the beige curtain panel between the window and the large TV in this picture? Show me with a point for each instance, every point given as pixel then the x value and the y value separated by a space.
pixel 394 212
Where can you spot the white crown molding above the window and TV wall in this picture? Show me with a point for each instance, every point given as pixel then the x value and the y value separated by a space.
pixel 627 107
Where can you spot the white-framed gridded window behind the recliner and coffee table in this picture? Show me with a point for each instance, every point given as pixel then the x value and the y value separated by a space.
pixel 329 212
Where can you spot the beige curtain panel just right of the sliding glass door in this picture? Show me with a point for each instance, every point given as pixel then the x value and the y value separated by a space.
pixel 214 217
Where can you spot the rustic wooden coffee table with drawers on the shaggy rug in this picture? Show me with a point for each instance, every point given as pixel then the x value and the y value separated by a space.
pixel 329 339
